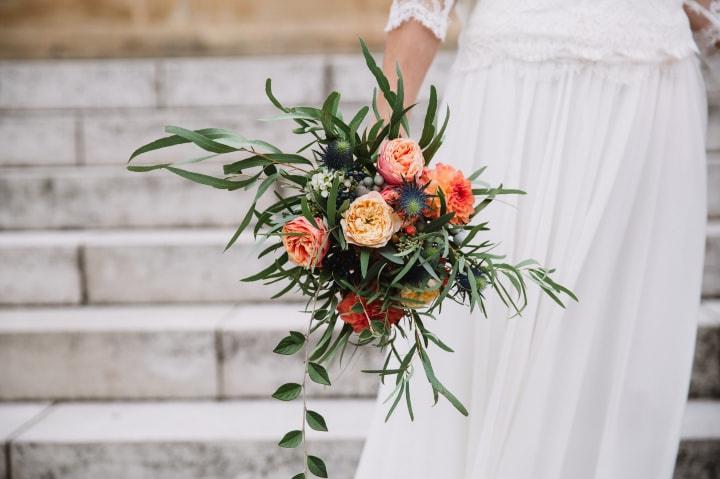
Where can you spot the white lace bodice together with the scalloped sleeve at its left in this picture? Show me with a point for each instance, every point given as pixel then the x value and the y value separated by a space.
pixel 614 31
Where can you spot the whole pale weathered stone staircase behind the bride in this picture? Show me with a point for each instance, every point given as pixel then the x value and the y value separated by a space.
pixel 125 335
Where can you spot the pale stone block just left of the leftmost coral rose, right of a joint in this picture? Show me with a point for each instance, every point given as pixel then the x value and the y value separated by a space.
pixel 172 266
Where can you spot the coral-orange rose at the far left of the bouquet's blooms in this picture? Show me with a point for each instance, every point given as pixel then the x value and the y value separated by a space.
pixel 306 245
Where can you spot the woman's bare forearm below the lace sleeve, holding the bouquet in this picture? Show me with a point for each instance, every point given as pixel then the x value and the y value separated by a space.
pixel 413 46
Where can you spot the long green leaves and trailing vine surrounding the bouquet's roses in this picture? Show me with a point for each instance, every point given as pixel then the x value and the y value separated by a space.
pixel 440 260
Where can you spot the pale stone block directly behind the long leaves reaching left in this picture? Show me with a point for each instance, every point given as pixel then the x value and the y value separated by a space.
pixel 109 137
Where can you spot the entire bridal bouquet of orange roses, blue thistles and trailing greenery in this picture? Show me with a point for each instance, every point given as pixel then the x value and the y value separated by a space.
pixel 370 231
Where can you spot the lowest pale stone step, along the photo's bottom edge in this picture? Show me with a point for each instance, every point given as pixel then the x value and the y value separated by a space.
pixel 237 439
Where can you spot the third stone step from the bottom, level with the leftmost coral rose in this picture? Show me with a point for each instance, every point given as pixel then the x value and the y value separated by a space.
pixel 181 265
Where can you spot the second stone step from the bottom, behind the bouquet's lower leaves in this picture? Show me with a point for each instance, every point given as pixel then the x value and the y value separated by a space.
pixel 201 352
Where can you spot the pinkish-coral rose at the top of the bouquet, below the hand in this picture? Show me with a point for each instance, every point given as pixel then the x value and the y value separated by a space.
pixel 400 159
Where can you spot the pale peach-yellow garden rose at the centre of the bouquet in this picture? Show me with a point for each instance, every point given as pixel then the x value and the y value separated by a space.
pixel 370 221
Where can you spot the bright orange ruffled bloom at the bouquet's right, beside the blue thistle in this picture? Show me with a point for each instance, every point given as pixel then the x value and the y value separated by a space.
pixel 459 197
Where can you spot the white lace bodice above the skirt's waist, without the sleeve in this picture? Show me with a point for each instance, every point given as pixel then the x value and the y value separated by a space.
pixel 596 33
